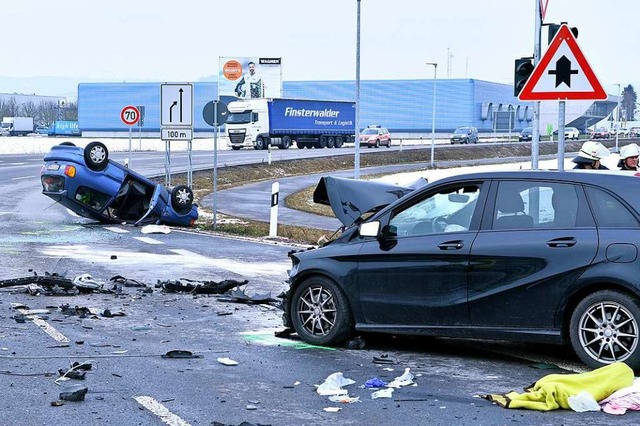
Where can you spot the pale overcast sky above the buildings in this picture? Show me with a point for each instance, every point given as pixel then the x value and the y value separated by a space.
pixel 65 42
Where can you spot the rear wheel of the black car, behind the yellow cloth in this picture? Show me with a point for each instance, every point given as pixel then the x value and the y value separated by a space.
pixel 604 329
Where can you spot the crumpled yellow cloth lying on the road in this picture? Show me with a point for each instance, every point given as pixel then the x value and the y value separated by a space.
pixel 553 391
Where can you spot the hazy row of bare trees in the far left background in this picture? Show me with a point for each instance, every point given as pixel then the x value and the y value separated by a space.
pixel 44 113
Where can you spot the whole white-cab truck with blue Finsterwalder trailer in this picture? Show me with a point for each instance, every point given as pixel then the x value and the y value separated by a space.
pixel 260 123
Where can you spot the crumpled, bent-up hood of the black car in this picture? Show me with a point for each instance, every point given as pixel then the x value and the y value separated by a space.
pixel 351 198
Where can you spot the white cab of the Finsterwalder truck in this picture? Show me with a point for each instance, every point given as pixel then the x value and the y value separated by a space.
pixel 248 124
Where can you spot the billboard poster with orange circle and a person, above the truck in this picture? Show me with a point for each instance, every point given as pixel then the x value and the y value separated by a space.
pixel 250 77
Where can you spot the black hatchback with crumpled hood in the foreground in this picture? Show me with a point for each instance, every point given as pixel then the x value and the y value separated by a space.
pixel 529 256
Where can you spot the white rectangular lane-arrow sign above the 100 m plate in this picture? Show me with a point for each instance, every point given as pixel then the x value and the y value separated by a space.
pixel 176 107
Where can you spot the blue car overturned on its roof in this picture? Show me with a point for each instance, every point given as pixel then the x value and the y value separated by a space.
pixel 85 181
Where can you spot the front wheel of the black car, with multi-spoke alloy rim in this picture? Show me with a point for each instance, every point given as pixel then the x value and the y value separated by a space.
pixel 320 312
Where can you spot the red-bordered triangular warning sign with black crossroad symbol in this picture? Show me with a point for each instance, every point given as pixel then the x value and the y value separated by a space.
pixel 563 73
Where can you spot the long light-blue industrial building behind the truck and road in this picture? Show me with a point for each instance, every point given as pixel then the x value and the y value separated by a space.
pixel 403 106
